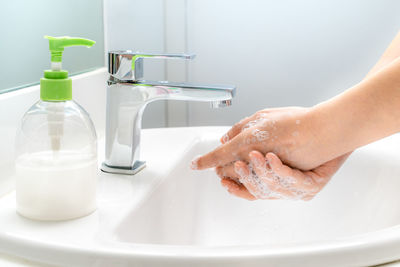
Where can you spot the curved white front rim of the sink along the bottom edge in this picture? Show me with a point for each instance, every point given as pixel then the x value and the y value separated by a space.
pixel 385 238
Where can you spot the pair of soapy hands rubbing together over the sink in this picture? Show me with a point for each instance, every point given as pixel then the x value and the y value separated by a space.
pixel 273 154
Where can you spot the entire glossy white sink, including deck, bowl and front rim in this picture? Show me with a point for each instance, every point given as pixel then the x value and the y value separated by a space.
pixel 169 215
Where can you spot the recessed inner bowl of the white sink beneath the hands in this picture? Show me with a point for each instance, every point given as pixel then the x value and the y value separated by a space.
pixel 192 208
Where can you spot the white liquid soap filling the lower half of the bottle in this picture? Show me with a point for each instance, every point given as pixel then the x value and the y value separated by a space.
pixel 56 185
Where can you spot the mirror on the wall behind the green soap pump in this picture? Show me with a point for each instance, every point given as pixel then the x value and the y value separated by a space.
pixel 23 50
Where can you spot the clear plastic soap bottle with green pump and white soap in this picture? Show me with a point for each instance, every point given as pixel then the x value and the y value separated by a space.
pixel 56 148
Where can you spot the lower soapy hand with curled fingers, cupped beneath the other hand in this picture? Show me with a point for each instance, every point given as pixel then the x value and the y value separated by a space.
pixel 268 178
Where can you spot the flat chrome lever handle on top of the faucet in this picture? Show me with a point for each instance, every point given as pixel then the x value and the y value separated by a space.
pixel 128 65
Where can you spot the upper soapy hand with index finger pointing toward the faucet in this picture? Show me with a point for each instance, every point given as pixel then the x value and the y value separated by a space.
pixel 290 133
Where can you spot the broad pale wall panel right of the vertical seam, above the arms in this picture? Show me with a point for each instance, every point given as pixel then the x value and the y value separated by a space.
pixel 281 53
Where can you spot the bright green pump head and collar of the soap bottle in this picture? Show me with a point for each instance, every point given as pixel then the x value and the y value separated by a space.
pixel 56 86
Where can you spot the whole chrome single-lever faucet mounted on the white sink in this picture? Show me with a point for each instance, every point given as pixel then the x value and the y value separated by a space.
pixel 127 96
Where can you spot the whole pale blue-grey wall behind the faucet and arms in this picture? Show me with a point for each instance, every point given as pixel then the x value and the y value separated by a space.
pixel 276 52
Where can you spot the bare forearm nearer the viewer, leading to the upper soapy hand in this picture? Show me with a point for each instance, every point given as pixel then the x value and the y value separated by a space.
pixel 365 113
